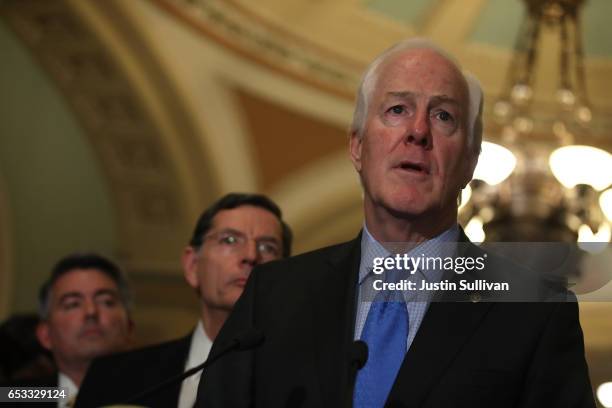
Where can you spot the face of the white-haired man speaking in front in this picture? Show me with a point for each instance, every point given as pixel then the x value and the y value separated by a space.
pixel 413 158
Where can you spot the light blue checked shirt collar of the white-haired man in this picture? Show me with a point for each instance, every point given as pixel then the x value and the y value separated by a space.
pixel 442 245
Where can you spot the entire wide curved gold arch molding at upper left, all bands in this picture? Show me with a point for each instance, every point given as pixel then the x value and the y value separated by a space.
pixel 133 118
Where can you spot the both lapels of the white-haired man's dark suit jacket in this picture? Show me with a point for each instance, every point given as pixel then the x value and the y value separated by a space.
pixel 445 329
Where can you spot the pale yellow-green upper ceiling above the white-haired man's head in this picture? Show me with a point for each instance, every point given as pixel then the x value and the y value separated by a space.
pixel 328 44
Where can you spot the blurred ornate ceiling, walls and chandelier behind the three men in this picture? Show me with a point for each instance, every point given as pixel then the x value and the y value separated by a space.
pixel 121 120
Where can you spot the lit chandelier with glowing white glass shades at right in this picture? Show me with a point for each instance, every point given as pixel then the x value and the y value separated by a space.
pixel 542 181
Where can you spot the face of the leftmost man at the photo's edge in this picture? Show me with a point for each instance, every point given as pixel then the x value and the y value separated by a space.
pixel 86 318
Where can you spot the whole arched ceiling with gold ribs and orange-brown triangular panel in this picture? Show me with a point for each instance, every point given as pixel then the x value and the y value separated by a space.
pixel 263 91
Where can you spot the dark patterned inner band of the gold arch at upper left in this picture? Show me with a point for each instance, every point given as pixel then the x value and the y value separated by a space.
pixel 103 99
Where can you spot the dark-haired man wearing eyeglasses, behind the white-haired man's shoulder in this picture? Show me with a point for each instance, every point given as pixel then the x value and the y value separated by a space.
pixel 233 235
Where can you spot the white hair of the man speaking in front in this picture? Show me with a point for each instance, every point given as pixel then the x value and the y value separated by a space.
pixel 370 77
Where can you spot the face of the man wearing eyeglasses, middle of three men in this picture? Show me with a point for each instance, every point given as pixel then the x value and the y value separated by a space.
pixel 239 239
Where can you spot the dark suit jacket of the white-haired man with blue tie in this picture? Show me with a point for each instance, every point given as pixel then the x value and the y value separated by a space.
pixel 465 354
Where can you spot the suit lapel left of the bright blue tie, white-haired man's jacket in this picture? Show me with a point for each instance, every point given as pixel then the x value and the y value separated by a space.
pixel 334 296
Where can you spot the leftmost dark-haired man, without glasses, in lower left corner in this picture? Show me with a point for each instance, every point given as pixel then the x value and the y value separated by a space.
pixel 84 314
